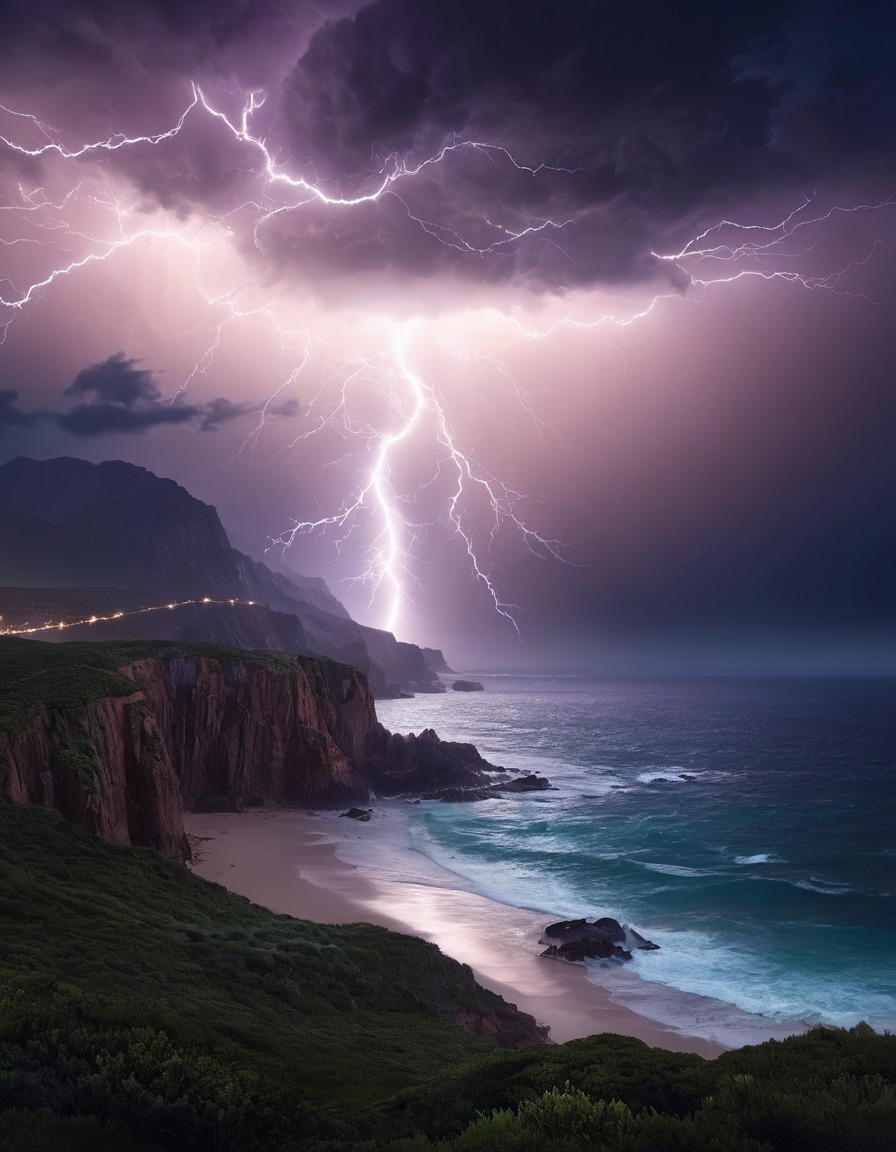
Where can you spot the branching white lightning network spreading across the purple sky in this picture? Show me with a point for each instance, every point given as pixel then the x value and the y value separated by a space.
pixel 43 225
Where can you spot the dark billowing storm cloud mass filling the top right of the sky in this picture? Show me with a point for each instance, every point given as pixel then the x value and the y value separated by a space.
pixel 664 116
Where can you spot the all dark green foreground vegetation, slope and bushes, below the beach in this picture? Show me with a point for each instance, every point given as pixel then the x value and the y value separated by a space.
pixel 143 1010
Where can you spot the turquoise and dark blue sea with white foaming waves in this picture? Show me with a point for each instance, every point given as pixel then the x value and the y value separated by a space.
pixel 747 827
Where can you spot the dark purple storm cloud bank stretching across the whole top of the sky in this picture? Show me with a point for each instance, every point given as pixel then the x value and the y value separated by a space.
pixel 654 120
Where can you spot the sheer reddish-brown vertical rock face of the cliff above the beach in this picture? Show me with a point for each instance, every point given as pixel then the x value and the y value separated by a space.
pixel 198 731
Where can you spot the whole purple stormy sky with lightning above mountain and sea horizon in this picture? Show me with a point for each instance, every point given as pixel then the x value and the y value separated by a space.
pixel 584 308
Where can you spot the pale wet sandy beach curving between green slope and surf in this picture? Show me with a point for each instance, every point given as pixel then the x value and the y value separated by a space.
pixel 287 861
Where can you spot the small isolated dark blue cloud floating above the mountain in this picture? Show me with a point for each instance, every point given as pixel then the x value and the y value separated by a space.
pixel 126 399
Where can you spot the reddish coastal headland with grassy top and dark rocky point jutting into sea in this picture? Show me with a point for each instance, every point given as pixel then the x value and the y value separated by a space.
pixel 123 738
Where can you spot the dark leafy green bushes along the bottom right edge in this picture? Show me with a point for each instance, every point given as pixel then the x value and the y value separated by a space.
pixel 829 1089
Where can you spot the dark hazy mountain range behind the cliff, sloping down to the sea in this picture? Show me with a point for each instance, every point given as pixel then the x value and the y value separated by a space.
pixel 71 525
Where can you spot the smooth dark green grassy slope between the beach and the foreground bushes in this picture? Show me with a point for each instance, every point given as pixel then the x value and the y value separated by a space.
pixel 339 1013
